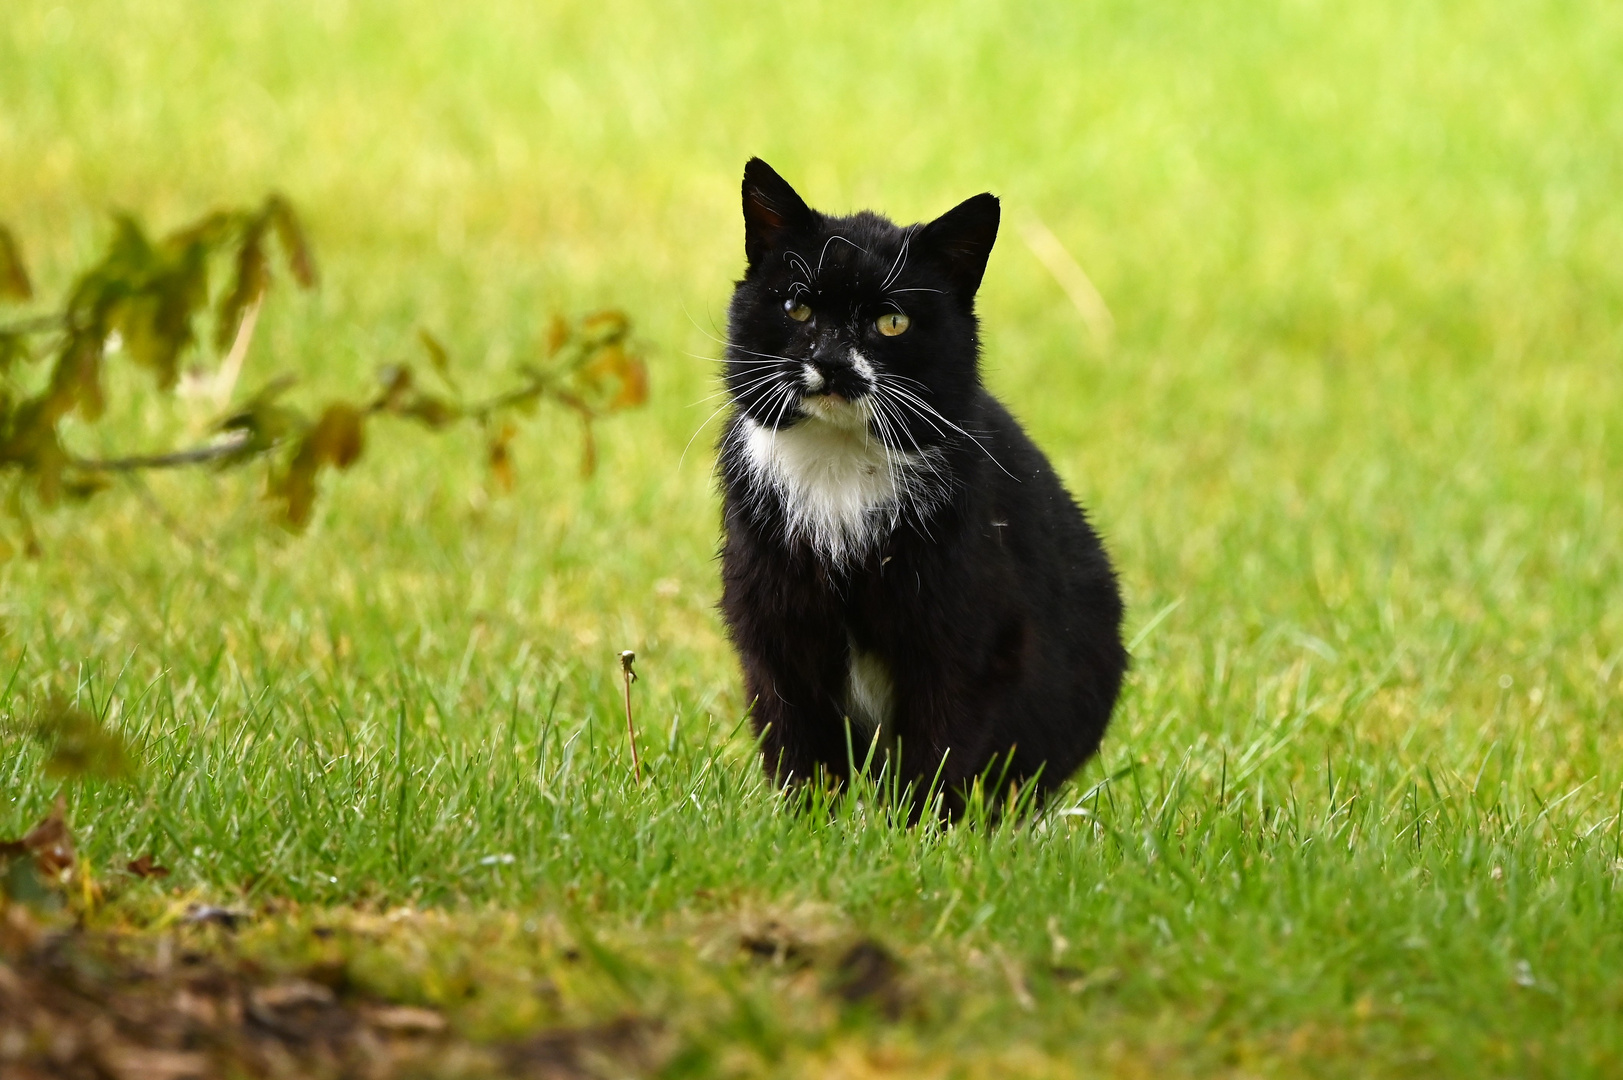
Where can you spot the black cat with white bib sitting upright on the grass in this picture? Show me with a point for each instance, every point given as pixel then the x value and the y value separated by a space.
pixel 898 555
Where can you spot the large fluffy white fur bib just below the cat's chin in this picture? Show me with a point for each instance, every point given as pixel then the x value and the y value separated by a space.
pixel 843 490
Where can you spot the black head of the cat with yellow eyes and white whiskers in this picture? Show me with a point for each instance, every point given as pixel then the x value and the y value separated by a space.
pixel 856 321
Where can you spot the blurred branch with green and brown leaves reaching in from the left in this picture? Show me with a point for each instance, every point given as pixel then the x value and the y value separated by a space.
pixel 147 300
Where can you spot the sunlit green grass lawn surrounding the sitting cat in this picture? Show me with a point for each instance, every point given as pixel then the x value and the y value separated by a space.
pixel 1356 451
